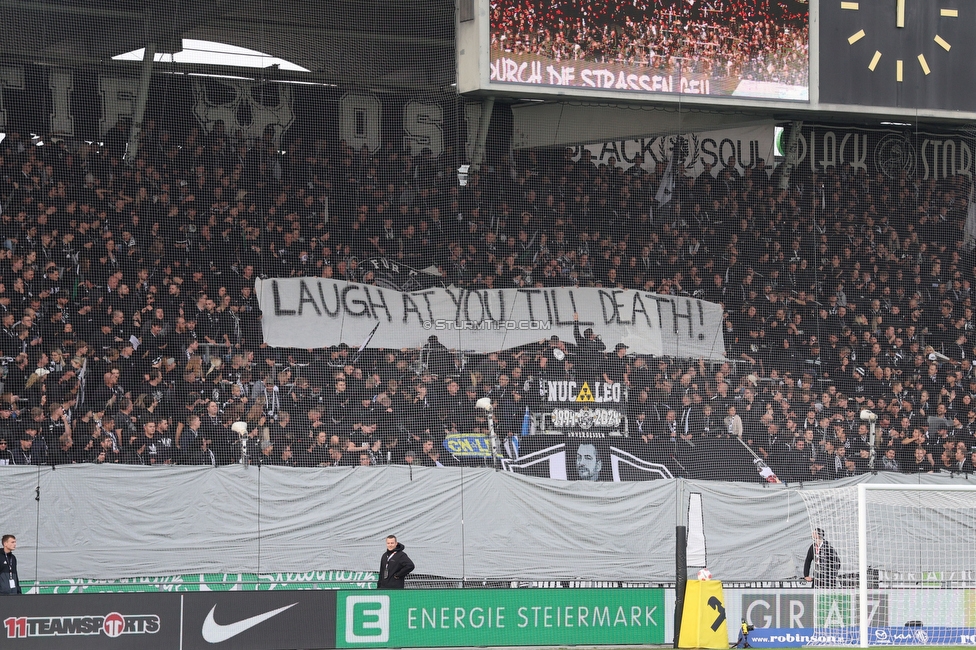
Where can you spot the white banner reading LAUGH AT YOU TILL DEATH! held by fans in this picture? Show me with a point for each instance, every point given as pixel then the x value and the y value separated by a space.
pixel 316 312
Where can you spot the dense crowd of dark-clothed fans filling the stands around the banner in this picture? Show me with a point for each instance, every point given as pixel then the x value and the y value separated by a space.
pixel 130 332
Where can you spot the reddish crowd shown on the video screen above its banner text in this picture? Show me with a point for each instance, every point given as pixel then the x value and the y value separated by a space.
pixel 760 41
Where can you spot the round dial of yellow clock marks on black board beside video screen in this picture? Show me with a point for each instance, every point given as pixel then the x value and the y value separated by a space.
pixel 890 55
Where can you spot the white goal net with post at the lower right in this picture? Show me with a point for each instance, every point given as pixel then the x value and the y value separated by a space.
pixel 894 564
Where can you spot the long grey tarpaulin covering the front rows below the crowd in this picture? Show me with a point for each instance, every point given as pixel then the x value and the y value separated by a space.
pixel 111 522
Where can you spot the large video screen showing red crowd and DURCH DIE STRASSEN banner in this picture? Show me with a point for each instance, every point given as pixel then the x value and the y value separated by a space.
pixel 742 48
